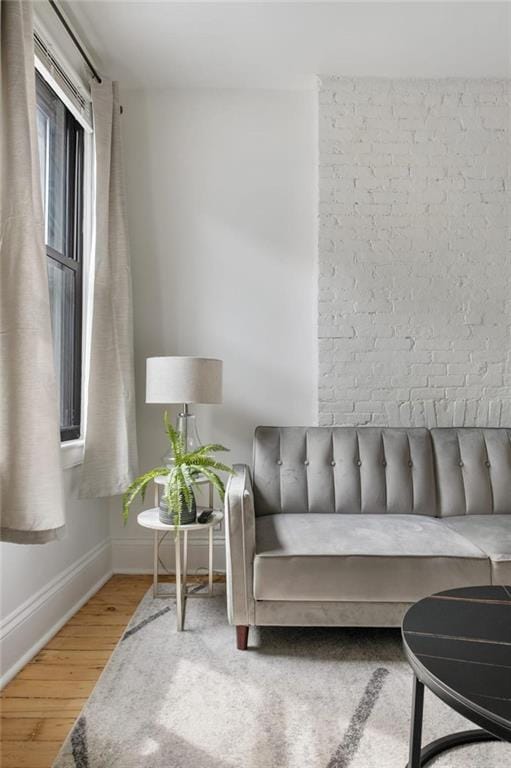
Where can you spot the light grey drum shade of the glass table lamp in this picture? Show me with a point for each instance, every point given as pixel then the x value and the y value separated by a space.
pixel 183 380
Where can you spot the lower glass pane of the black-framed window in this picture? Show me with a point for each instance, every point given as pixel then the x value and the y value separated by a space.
pixel 62 282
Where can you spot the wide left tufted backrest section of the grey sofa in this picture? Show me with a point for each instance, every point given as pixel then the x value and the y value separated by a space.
pixel 366 470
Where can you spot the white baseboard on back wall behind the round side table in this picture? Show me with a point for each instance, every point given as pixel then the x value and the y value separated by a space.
pixel 135 555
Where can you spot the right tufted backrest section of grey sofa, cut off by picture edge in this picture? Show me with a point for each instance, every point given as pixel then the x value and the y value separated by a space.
pixel 473 470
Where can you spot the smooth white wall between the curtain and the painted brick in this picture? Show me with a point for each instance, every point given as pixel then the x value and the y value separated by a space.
pixel 222 197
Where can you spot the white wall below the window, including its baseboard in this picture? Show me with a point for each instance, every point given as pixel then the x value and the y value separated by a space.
pixel 42 585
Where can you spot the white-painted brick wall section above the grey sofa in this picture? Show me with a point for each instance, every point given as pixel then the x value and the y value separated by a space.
pixel 414 252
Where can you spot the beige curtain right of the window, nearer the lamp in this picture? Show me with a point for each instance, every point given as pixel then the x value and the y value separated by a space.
pixel 110 460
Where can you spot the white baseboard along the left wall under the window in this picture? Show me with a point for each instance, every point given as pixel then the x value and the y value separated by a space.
pixel 31 625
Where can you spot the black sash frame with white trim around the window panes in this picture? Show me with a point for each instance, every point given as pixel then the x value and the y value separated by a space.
pixel 77 143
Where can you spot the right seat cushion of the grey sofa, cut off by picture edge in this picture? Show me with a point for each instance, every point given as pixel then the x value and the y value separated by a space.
pixel 492 534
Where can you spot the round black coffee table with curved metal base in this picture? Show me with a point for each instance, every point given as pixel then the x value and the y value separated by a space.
pixel 458 644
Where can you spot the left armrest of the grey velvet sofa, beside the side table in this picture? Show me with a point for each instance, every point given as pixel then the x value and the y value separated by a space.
pixel 240 546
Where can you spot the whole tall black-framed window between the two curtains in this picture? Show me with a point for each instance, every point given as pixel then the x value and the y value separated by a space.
pixel 61 142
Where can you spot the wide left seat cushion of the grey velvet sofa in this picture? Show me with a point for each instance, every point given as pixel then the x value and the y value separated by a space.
pixel 390 558
